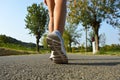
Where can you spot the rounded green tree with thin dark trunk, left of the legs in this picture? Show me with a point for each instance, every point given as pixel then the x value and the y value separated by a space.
pixel 36 20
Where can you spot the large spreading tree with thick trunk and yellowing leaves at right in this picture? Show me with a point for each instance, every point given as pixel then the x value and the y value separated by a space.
pixel 93 13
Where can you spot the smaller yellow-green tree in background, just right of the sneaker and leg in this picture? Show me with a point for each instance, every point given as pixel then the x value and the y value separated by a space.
pixel 71 36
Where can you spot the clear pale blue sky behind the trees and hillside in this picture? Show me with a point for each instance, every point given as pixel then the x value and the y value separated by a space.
pixel 12 15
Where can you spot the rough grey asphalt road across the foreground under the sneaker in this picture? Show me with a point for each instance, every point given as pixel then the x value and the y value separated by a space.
pixel 80 67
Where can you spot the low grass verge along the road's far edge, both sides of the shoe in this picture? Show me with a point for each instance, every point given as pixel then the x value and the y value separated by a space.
pixel 10 51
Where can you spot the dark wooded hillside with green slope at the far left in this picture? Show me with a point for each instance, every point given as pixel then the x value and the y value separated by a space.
pixel 9 42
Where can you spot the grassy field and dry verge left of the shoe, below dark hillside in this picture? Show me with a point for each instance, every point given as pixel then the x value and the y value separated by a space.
pixel 7 49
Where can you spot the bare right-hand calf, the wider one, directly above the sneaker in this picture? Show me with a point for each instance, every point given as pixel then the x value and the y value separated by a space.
pixel 59 15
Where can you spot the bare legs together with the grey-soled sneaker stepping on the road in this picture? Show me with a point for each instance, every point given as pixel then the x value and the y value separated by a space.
pixel 57 16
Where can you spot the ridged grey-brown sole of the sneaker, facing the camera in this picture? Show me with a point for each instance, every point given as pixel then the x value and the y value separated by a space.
pixel 55 45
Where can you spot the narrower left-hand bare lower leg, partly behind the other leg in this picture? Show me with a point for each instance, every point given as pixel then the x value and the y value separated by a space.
pixel 51 4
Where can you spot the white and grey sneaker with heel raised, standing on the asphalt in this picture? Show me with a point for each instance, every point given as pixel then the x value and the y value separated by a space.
pixel 56 43
